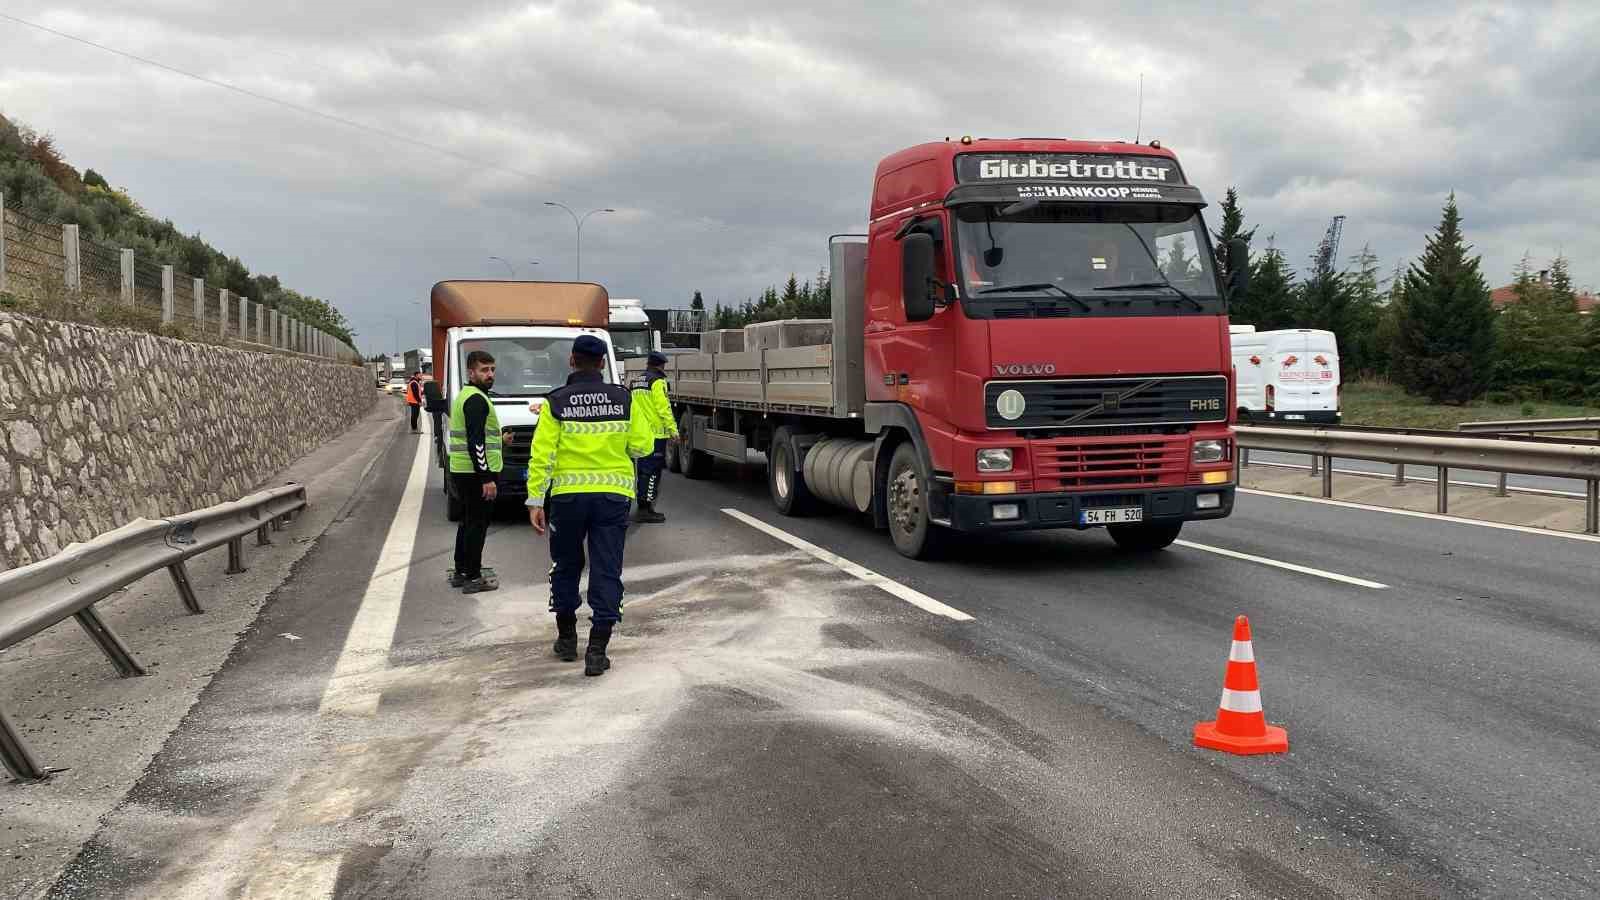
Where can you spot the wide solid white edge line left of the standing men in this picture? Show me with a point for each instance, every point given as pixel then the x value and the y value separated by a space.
pixel 374 632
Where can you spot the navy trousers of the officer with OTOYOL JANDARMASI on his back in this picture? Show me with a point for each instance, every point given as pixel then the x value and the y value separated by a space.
pixel 598 521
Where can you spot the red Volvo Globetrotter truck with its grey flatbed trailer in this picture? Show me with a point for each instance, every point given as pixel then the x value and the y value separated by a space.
pixel 1031 335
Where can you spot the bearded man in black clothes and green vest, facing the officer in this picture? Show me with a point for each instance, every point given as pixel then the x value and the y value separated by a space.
pixel 474 473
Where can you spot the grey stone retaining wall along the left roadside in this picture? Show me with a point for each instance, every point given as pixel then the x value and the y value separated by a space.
pixel 100 427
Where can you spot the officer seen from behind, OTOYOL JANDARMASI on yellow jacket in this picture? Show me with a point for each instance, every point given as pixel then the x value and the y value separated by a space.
pixel 580 486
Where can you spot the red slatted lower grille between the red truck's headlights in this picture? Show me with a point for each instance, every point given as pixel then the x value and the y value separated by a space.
pixel 1113 462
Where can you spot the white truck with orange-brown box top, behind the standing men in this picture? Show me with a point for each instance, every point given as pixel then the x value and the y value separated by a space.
pixel 529 327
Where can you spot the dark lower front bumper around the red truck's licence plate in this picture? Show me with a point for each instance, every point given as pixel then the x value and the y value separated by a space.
pixel 975 513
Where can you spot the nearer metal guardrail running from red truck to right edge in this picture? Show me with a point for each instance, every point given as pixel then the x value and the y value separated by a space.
pixel 1484 454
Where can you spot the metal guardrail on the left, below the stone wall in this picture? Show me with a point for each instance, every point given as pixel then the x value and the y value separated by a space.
pixel 70 584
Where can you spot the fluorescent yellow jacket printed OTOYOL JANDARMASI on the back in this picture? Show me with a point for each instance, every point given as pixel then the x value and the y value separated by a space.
pixel 586 443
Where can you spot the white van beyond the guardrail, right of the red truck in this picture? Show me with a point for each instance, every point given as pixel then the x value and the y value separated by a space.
pixel 1290 376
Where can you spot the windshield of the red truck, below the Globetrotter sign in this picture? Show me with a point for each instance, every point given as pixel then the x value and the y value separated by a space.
pixel 1023 260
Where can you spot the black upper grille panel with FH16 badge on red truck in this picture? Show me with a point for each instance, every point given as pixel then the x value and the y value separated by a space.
pixel 1102 403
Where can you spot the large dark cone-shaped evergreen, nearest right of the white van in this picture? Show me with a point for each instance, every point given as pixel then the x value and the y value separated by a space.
pixel 1446 347
